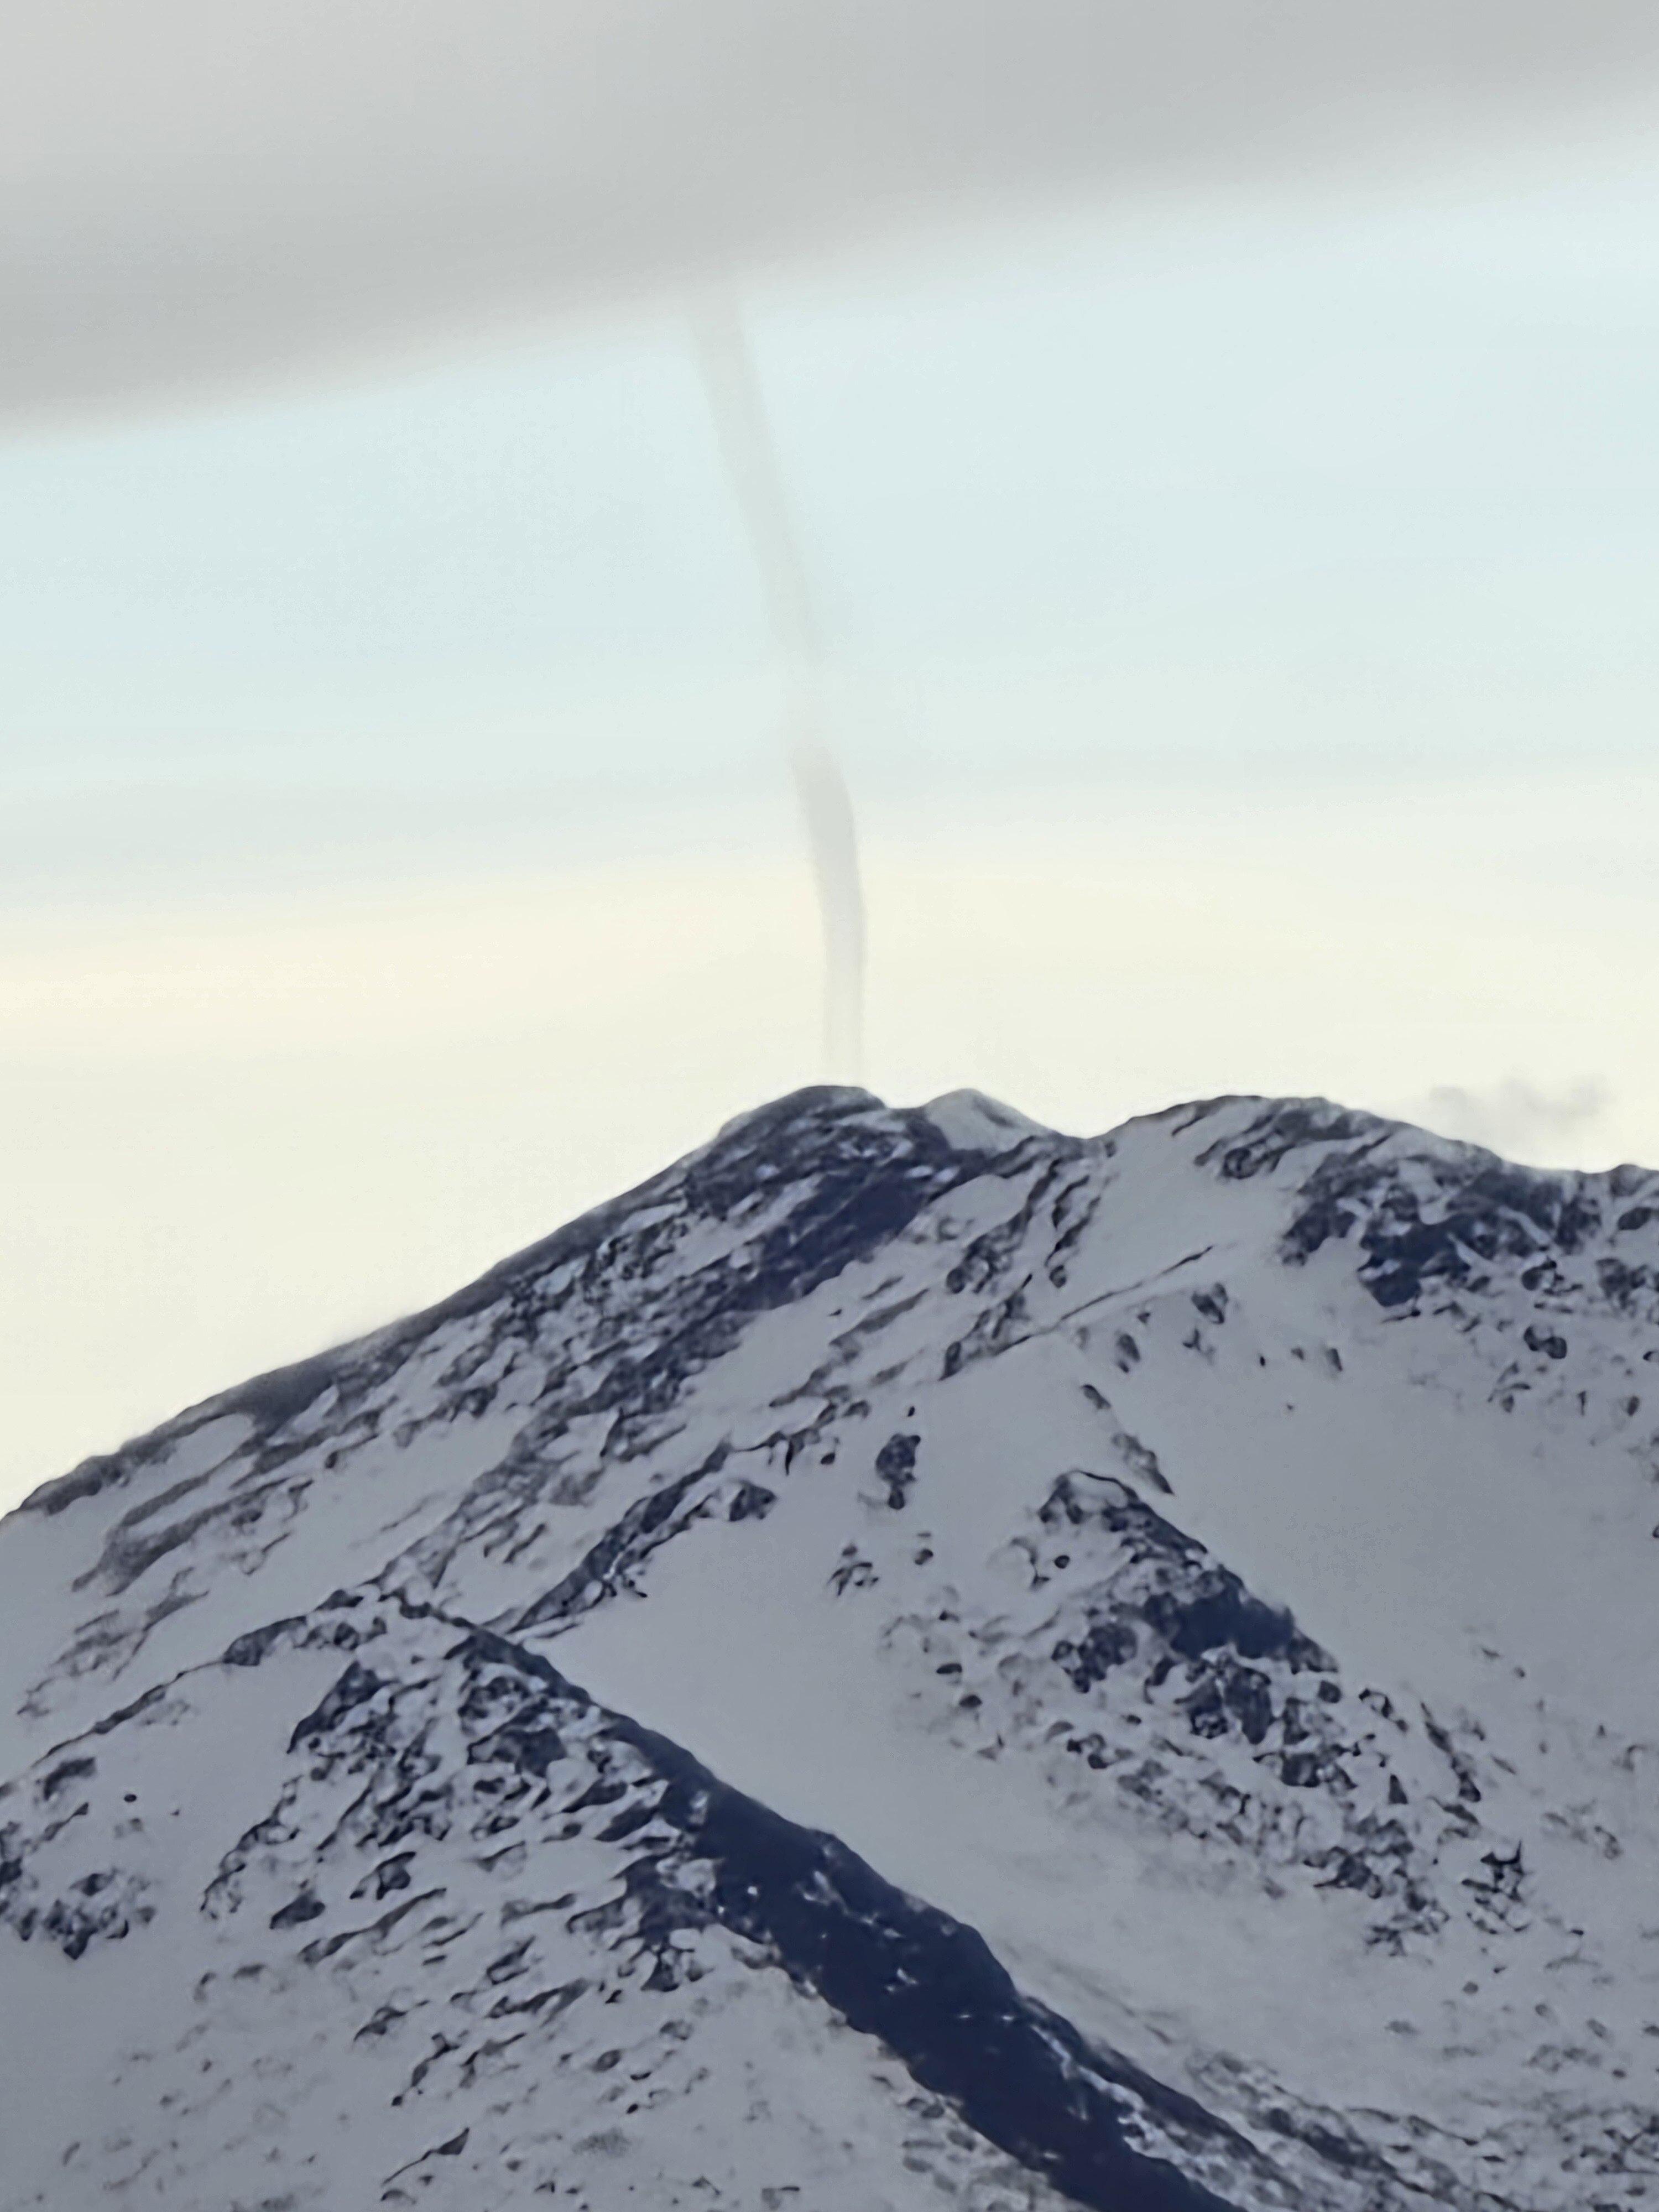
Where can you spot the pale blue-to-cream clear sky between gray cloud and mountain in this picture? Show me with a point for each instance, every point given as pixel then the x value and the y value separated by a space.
pixel 1242 656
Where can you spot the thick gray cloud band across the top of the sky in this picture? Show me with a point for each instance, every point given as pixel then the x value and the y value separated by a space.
pixel 194 194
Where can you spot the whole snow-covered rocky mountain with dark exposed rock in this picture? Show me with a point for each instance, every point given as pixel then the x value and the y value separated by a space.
pixel 910 1660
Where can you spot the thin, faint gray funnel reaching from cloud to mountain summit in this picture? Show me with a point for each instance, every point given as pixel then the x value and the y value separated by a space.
pixel 758 488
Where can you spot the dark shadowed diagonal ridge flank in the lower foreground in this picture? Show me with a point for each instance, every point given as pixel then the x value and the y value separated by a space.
pixel 893 1968
